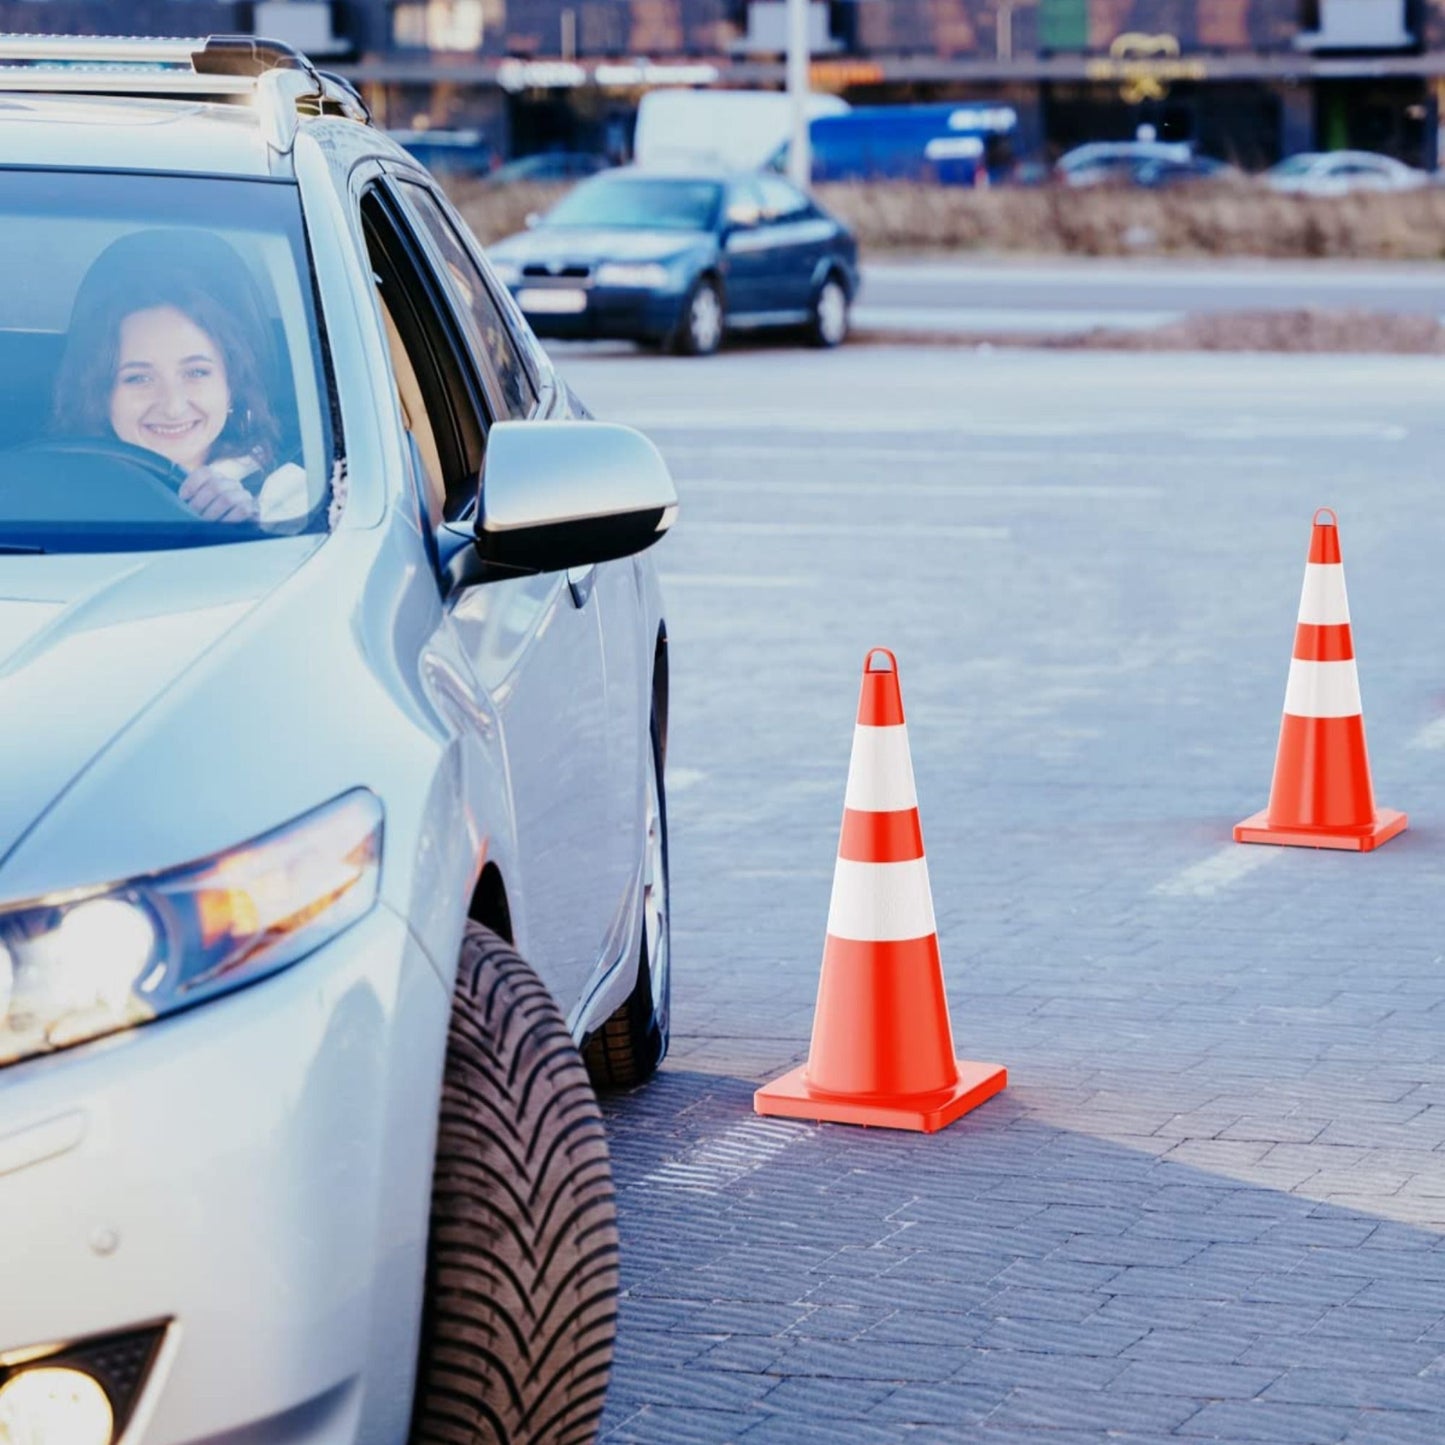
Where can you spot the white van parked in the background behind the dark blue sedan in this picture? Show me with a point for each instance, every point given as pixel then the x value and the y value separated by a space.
pixel 736 131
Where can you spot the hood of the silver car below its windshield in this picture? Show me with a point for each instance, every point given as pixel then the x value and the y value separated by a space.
pixel 90 641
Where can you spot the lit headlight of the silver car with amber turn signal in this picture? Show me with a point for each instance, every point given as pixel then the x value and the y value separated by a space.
pixel 82 965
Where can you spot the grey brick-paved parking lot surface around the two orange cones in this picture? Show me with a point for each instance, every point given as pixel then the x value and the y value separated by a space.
pixel 1210 1206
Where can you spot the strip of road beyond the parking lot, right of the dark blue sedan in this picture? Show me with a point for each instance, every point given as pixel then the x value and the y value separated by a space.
pixel 1067 296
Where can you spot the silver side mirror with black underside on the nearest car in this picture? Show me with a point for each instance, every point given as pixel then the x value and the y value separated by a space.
pixel 558 495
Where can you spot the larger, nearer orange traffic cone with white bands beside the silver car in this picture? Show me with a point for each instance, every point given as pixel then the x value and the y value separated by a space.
pixel 882 1048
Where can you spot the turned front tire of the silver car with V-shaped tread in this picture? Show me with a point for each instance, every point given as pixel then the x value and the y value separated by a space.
pixel 522 1259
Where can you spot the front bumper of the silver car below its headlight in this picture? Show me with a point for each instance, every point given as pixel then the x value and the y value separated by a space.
pixel 255 1174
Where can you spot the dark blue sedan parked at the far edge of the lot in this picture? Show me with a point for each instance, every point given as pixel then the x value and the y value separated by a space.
pixel 681 259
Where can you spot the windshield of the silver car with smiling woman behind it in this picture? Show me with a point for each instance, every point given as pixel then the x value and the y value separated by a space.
pixel 161 375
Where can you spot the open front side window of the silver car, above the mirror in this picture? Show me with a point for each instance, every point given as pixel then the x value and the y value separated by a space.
pixel 443 411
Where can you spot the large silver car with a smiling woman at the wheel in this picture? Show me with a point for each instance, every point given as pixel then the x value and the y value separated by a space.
pixel 333 684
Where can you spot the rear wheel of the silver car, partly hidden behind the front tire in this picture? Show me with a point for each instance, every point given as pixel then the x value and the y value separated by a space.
pixel 631 1045
